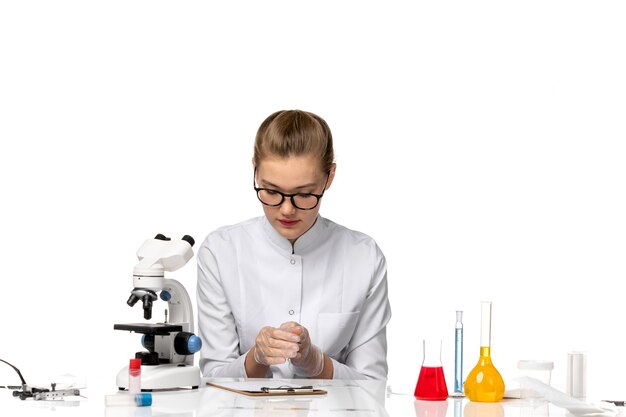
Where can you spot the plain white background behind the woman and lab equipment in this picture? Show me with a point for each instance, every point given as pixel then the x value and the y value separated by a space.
pixel 480 143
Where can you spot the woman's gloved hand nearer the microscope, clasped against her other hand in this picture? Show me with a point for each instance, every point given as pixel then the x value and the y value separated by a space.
pixel 274 346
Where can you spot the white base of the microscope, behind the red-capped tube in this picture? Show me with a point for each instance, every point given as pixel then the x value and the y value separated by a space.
pixel 169 376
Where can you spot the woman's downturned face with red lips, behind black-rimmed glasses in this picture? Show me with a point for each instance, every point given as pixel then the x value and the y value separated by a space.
pixel 296 174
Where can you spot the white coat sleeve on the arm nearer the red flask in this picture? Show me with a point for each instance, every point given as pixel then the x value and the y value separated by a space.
pixel 367 350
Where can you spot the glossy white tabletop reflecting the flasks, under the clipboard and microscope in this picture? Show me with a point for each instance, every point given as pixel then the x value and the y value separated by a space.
pixel 344 398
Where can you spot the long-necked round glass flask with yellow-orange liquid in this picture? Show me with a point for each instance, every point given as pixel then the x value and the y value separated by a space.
pixel 484 383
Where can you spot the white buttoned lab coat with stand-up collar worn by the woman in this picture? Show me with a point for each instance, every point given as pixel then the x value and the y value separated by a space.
pixel 333 281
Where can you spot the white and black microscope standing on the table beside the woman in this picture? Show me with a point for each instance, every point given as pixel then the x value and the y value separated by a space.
pixel 167 362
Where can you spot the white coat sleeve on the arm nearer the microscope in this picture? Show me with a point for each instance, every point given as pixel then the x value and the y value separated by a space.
pixel 219 355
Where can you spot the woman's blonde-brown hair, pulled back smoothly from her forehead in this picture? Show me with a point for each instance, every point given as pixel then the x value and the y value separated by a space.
pixel 288 133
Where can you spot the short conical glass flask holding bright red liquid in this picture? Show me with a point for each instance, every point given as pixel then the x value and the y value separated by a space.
pixel 431 383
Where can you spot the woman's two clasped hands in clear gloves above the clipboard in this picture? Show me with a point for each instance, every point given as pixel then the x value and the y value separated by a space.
pixel 291 341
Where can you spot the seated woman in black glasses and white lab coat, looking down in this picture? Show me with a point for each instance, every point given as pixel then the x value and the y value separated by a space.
pixel 292 294
